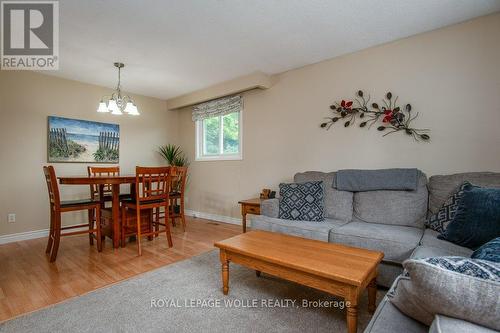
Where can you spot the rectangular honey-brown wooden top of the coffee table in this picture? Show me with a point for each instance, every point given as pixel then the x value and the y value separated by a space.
pixel 338 262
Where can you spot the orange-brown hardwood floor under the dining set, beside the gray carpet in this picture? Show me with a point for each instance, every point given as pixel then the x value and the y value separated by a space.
pixel 29 282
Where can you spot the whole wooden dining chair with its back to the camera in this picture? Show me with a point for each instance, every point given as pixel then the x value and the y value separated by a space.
pixel 152 189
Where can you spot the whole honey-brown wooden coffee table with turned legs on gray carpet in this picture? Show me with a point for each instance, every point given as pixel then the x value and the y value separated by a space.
pixel 336 269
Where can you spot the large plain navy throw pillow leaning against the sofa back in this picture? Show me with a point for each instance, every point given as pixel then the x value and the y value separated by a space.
pixel 477 220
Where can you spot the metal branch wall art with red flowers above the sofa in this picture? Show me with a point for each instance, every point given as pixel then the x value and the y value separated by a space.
pixel 393 118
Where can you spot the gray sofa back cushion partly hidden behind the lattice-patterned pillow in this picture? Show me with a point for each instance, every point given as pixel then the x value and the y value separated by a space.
pixel 338 204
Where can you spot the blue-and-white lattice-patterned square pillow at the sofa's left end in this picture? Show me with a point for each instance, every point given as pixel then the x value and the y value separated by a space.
pixel 301 201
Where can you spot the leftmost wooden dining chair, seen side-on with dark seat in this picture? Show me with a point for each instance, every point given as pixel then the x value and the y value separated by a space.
pixel 57 207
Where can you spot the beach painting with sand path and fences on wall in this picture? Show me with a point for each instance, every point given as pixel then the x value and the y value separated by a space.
pixel 82 141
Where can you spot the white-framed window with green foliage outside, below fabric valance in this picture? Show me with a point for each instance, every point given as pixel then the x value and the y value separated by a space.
pixel 219 137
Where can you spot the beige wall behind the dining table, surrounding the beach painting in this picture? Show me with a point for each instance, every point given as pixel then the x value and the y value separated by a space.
pixel 26 99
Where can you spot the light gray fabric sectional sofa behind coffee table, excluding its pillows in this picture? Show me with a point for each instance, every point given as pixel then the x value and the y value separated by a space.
pixel 387 221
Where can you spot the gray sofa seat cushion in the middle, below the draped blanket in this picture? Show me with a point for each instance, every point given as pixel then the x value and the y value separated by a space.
pixel 397 242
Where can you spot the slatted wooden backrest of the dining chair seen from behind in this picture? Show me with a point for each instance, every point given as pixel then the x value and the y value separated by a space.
pixel 152 183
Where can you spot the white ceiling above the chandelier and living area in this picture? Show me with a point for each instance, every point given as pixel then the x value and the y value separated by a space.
pixel 178 46
